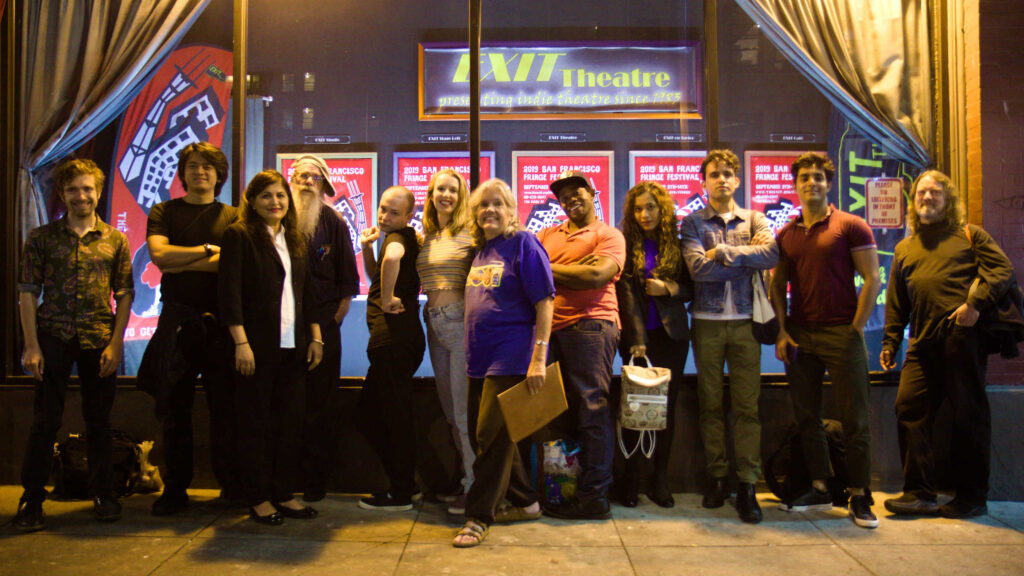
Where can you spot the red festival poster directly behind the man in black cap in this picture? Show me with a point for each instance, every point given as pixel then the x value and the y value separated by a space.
pixel 534 173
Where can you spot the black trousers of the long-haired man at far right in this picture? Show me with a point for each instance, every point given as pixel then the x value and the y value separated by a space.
pixel 953 368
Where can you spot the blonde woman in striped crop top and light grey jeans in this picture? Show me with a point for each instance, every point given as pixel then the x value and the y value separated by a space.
pixel 444 265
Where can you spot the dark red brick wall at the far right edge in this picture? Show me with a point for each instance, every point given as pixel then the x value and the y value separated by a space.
pixel 1002 44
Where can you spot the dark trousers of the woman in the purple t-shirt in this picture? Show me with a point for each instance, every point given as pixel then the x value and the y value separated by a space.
pixel 498 470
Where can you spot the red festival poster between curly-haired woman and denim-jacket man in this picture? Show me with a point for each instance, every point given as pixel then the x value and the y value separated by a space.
pixel 679 173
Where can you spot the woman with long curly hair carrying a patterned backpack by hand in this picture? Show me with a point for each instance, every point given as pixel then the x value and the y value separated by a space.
pixel 653 294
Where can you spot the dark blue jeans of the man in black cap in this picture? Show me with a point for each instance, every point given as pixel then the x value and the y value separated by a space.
pixel 586 351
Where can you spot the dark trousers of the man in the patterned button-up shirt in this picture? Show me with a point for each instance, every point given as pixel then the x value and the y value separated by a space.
pixel 98 399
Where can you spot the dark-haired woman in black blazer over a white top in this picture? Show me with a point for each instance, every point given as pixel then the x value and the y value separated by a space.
pixel 265 296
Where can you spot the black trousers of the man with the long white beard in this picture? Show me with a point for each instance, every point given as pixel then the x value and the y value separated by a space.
pixel 318 442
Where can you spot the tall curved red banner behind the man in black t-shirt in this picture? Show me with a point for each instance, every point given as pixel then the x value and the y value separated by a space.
pixel 186 102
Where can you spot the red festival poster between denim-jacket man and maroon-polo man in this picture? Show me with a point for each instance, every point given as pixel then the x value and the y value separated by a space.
pixel 770 186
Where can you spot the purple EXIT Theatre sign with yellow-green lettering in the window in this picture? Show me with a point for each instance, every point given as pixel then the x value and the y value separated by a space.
pixel 565 81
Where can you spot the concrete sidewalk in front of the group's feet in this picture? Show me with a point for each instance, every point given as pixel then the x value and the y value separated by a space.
pixel 212 540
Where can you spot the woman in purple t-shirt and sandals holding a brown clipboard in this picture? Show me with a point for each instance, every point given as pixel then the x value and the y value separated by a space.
pixel 509 302
